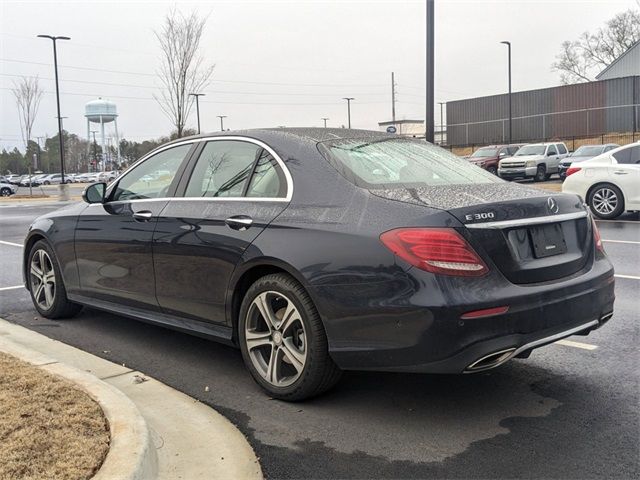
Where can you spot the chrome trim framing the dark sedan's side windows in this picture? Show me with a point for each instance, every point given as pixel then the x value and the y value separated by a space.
pixel 285 170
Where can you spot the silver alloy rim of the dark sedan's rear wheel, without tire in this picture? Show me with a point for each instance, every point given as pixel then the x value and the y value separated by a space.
pixel 276 339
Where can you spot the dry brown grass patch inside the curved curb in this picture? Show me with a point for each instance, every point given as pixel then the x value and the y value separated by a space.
pixel 49 428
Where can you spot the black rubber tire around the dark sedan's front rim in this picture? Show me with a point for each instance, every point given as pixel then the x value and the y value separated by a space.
pixel 60 307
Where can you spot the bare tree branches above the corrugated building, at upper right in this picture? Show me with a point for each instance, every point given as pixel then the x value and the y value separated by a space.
pixel 580 60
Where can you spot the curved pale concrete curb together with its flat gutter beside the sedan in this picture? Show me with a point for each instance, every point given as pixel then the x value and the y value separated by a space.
pixel 157 432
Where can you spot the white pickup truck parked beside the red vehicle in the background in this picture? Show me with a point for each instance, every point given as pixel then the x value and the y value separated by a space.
pixel 536 160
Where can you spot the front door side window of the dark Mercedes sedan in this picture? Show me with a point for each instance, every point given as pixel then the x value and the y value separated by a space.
pixel 152 178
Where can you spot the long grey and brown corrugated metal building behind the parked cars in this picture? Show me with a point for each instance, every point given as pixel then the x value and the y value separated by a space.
pixel 578 110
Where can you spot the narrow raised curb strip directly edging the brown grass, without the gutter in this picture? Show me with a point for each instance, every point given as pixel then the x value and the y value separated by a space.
pixel 131 454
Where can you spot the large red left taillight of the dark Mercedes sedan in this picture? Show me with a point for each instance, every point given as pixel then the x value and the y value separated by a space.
pixel 436 250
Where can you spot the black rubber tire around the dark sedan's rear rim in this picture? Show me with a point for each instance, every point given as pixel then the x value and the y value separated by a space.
pixel 319 372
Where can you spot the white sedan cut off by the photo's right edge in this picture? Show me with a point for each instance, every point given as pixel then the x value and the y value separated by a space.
pixel 609 183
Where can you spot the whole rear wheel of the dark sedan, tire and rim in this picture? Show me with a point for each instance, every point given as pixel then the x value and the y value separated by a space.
pixel 283 341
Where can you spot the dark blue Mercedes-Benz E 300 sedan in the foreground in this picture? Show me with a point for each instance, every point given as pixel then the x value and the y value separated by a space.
pixel 322 250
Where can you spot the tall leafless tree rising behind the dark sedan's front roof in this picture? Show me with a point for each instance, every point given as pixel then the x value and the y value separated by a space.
pixel 183 69
